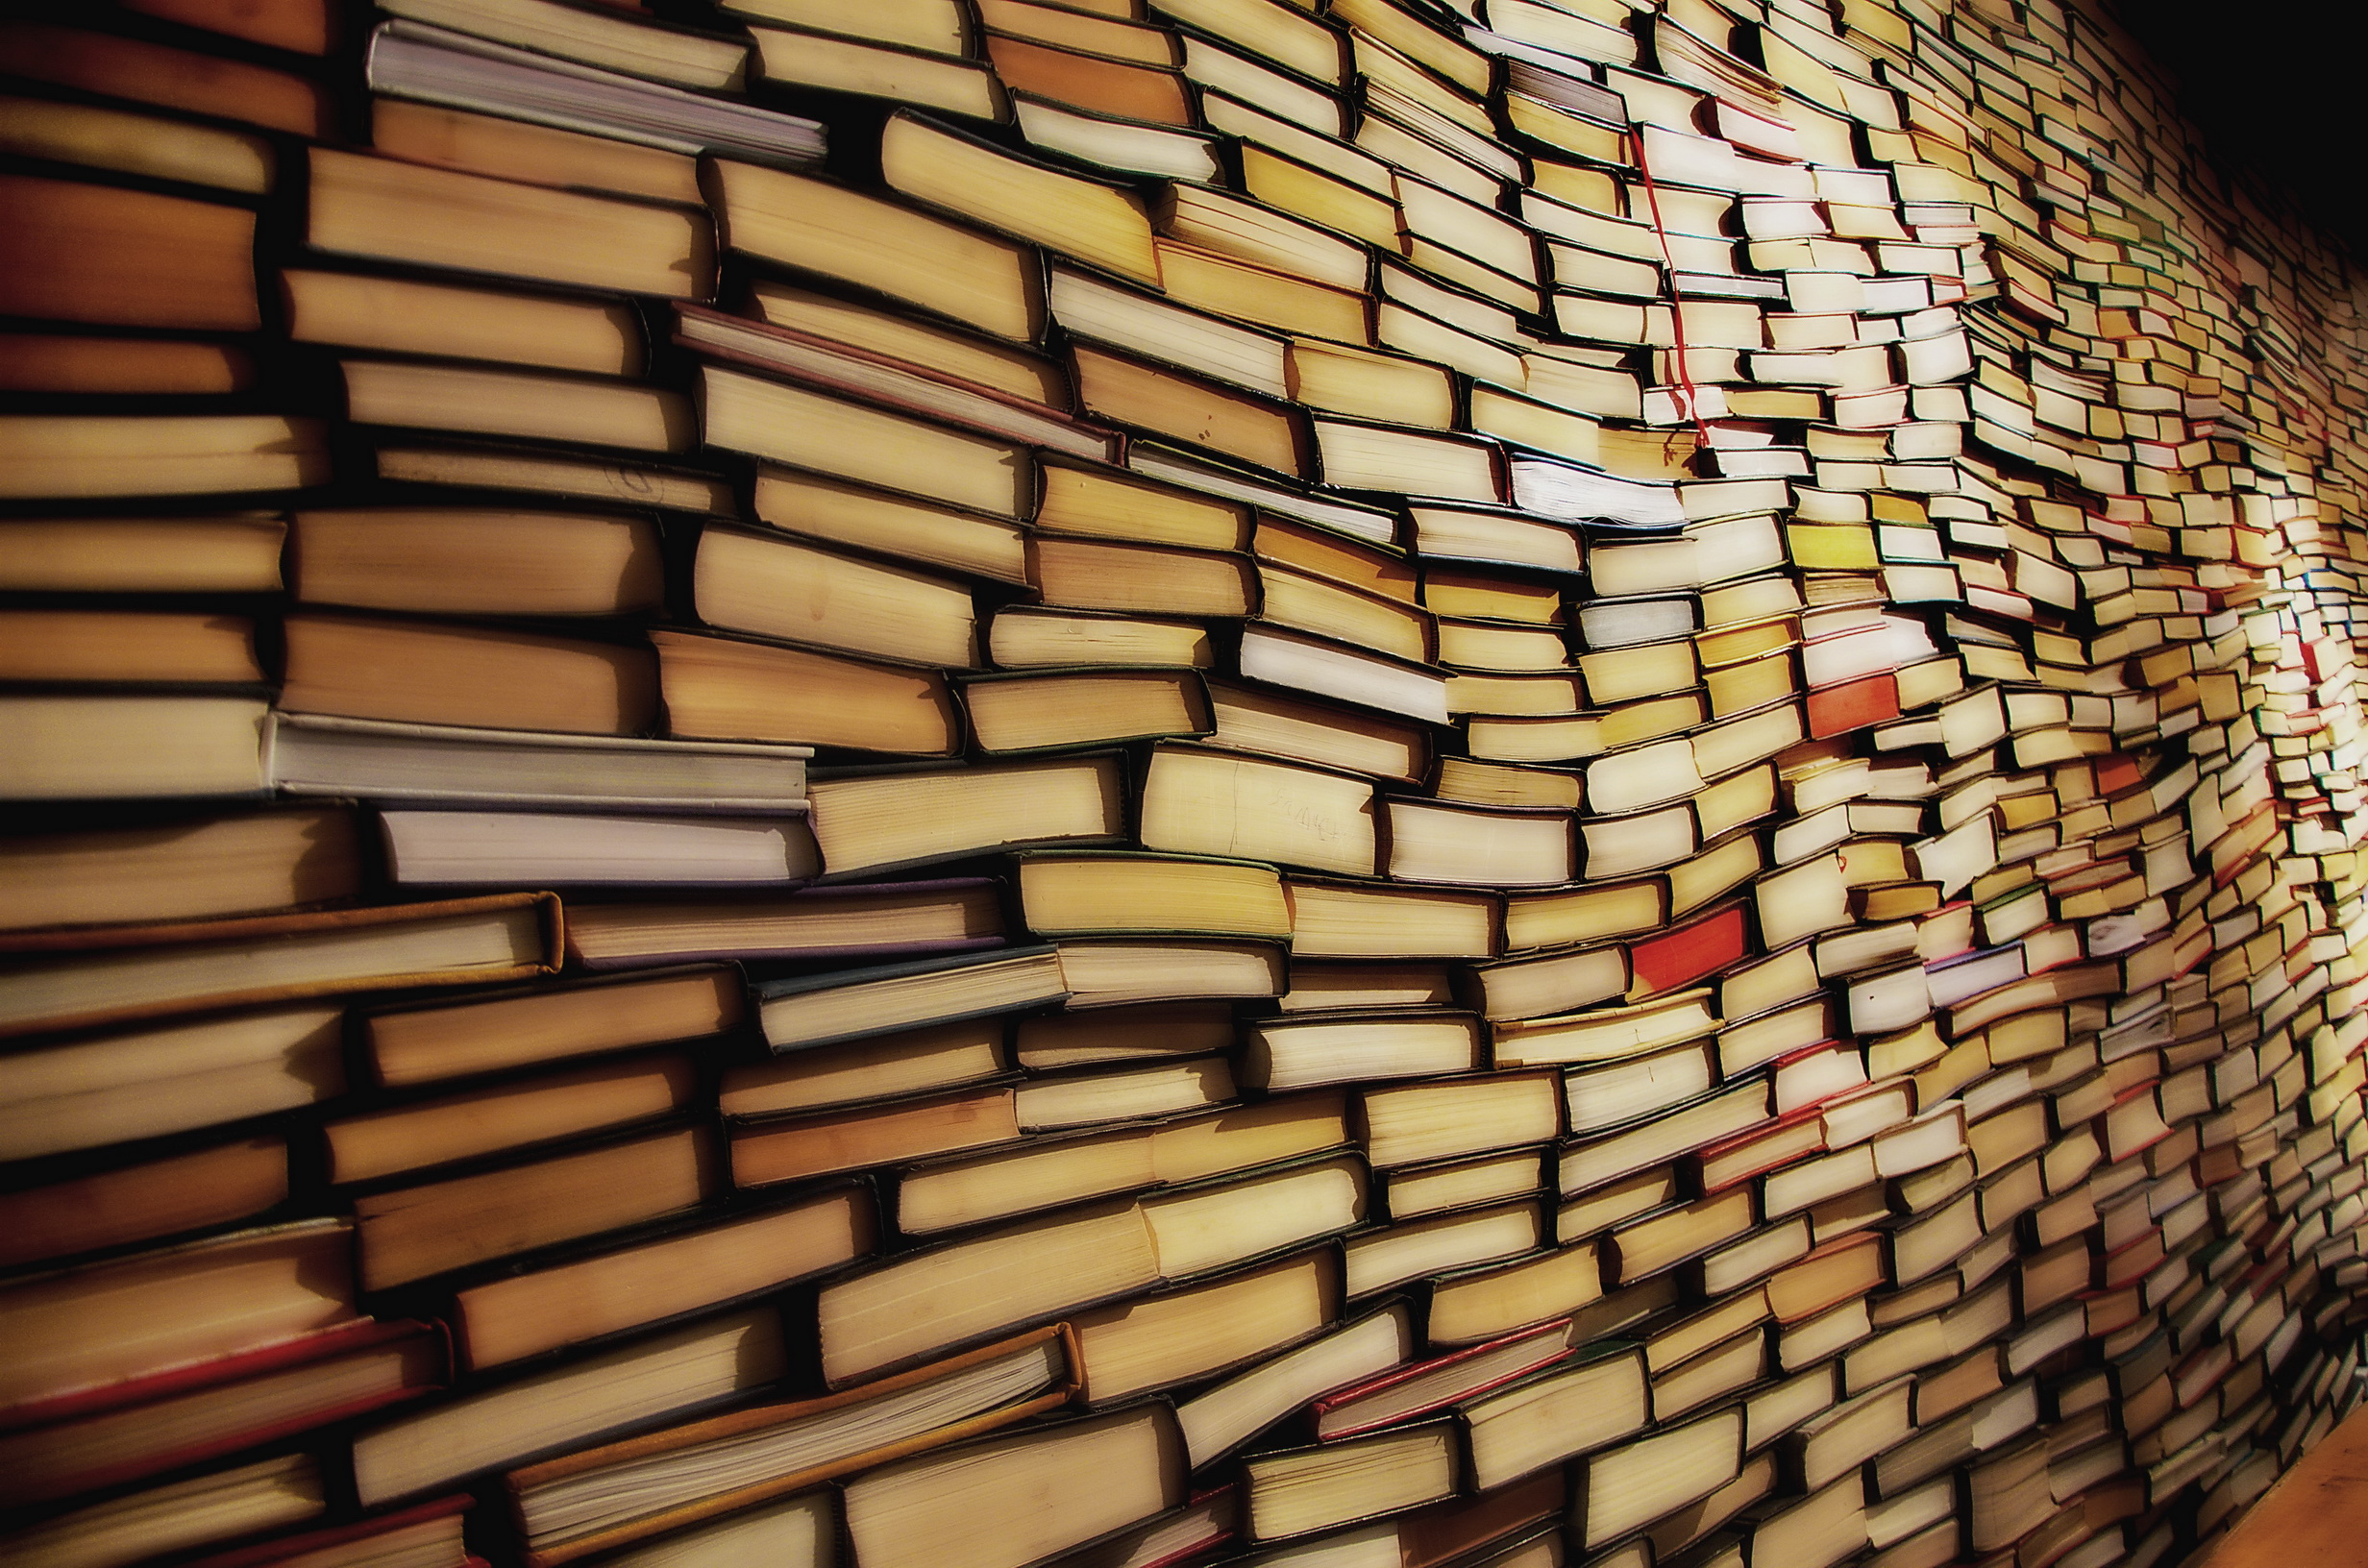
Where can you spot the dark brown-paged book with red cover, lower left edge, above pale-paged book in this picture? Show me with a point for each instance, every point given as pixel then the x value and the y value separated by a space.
pixel 143 1427
